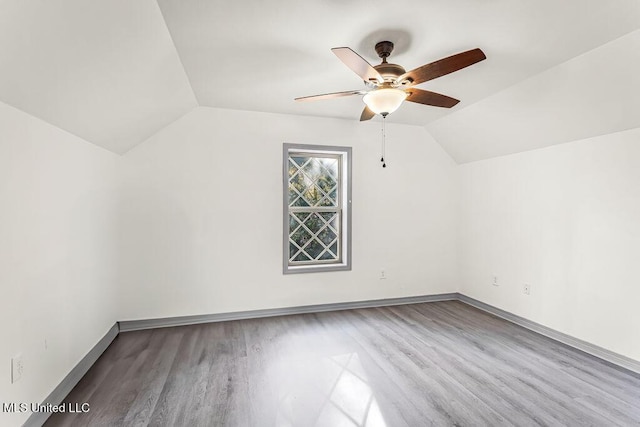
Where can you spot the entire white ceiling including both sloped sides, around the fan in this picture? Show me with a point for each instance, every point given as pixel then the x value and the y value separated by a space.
pixel 114 72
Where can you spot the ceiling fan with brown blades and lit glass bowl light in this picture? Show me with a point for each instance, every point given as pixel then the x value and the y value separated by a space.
pixel 388 85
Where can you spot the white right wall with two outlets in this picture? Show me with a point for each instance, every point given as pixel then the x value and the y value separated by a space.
pixel 566 220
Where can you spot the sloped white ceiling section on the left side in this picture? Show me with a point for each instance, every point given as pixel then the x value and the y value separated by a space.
pixel 105 70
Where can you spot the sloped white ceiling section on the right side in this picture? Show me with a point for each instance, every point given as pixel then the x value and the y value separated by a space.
pixel 594 94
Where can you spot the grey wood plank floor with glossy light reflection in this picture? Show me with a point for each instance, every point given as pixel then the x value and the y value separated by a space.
pixel 442 364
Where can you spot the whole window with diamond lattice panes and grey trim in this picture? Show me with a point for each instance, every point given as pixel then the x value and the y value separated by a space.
pixel 317 208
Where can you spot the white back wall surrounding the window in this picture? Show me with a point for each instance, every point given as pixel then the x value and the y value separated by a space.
pixel 201 216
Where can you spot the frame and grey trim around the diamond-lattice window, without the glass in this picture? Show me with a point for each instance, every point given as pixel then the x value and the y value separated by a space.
pixel 344 156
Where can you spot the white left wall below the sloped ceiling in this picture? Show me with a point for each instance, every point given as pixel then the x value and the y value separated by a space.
pixel 57 243
